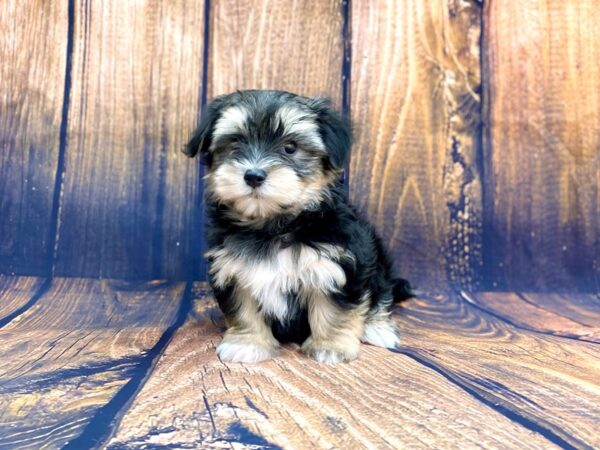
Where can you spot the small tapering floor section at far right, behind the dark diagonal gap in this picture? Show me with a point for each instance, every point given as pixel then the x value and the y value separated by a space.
pixel 541 315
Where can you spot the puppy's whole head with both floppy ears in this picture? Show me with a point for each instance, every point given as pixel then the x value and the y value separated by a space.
pixel 269 152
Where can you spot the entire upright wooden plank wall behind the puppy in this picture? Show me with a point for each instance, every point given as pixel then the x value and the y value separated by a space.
pixel 480 178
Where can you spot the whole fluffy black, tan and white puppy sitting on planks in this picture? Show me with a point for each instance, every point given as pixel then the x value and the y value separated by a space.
pixel 290 259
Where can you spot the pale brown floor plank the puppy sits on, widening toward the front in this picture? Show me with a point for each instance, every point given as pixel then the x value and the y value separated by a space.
pixel 382 400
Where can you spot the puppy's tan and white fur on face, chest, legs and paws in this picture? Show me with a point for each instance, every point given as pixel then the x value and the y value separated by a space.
pixel 295 181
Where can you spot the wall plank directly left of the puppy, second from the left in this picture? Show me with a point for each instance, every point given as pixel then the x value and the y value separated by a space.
pixel 130 198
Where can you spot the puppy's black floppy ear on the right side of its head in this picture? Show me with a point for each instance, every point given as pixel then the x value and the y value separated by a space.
pixel 335 131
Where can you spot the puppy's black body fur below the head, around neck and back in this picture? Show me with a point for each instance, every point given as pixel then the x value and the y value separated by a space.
pixel 335 222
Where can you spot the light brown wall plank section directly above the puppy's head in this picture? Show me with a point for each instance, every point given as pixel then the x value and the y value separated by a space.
pixel 293 45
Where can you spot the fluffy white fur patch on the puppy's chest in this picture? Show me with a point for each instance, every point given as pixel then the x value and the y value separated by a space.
pixel 295 269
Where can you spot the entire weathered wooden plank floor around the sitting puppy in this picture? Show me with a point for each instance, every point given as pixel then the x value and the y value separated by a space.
pixel 94 363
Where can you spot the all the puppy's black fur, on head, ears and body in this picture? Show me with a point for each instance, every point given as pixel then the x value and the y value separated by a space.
pixel 332 221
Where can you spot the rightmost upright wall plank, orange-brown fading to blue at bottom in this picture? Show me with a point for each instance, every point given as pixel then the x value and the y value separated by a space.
pixel 542 141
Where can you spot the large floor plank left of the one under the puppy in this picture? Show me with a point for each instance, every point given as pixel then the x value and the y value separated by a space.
pixel 67 356
